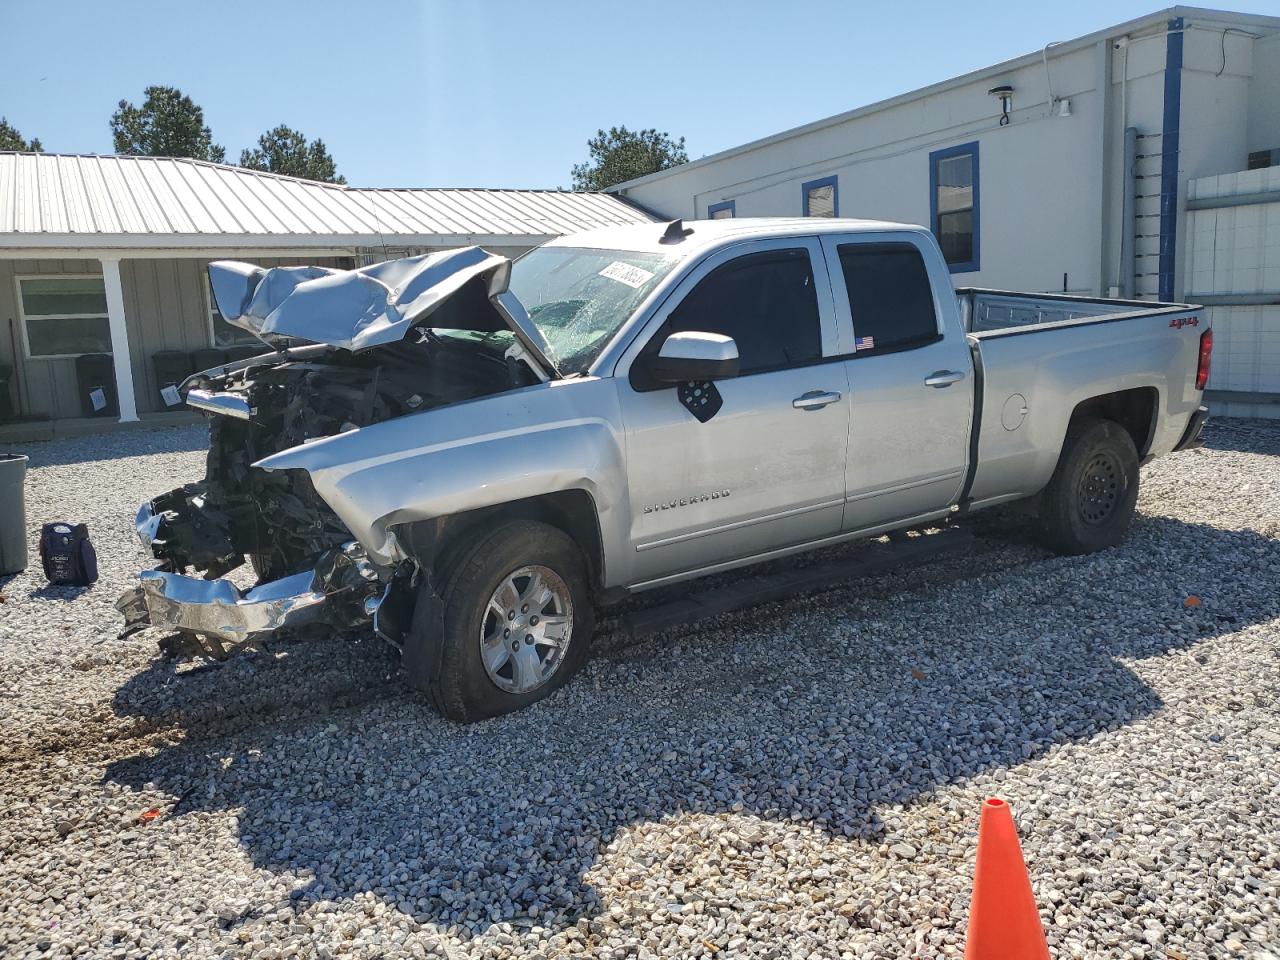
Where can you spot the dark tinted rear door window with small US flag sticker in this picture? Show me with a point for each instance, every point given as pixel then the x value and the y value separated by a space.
pixel 890 298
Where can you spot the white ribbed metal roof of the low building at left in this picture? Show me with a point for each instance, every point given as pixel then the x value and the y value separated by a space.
pixel 60 200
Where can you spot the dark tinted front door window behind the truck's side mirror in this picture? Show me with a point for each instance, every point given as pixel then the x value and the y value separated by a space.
pixel 765 301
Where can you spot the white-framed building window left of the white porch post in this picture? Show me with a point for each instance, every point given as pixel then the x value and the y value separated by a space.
pixel 65 317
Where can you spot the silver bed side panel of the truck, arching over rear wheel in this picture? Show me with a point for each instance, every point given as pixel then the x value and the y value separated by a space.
pixel 1057 368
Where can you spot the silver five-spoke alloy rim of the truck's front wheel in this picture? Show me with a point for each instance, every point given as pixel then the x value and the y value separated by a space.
pixel 527 629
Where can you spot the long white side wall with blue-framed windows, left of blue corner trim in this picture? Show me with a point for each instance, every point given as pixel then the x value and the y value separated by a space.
pixel 1040 208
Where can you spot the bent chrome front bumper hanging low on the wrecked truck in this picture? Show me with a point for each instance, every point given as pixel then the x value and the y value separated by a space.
pixel 220 609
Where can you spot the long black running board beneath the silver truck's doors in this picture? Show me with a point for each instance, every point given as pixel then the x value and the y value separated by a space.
pixel 765 588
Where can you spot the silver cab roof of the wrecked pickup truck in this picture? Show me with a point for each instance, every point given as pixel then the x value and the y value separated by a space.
pixel 708 234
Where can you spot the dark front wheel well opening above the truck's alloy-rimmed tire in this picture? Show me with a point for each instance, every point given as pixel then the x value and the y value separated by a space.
pixel 437 543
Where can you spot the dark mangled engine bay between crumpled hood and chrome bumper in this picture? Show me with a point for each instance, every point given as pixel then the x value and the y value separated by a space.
pixel 273 518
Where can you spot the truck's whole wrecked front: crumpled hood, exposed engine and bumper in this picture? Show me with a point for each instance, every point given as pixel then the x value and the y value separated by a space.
pixel 308 566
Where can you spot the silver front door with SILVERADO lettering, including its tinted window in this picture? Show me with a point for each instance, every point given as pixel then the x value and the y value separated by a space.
pixel 769 469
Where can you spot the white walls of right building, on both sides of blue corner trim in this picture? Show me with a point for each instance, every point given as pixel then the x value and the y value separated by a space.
pixel 1053 189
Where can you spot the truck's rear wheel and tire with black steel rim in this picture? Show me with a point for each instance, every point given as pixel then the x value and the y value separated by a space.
pixel 1090 501
